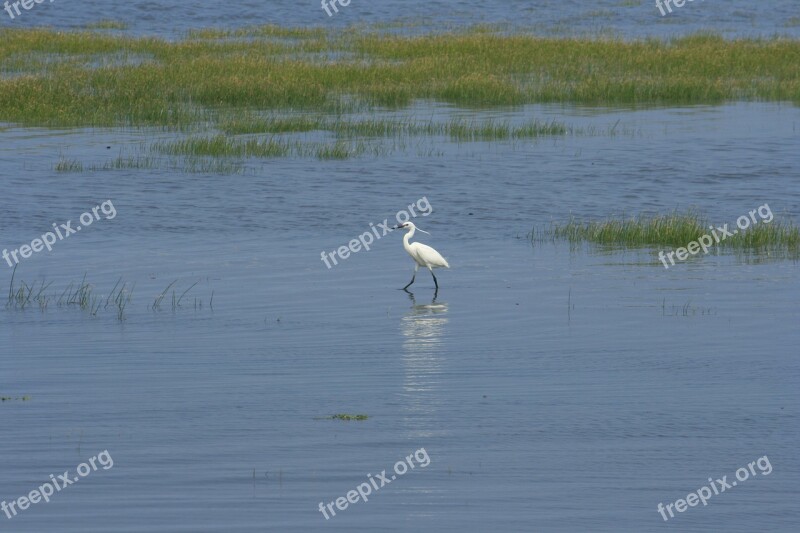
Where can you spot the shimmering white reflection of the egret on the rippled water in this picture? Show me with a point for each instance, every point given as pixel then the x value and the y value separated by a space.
pixel 423 329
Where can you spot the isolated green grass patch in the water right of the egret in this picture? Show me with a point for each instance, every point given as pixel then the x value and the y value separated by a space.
pixel 674 229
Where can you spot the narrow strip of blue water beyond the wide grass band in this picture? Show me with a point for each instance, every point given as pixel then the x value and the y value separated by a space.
pixel 637 18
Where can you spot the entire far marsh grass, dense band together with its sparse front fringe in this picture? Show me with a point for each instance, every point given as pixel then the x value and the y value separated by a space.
pixel 287 82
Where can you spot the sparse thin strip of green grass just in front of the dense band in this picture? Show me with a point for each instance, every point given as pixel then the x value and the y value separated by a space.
pixel 353 138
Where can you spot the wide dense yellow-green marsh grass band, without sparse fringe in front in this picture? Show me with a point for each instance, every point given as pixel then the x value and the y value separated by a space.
pixel 271 68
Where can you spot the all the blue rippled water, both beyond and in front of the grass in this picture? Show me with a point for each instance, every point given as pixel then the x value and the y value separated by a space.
pixel 553 388
